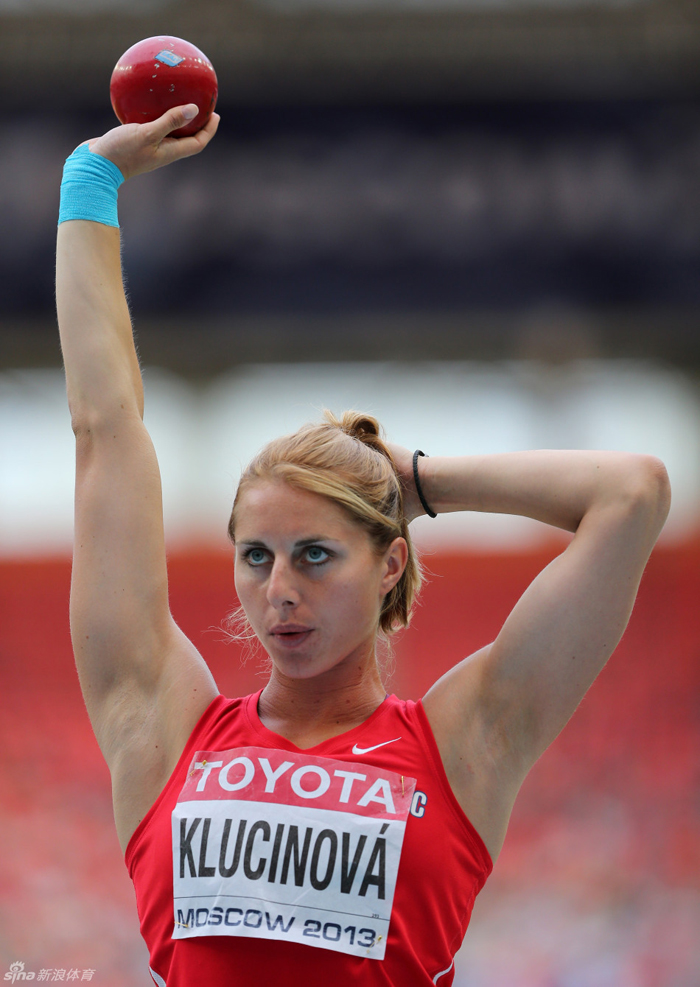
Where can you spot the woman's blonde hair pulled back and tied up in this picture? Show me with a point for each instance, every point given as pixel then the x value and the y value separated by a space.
pixel 346 460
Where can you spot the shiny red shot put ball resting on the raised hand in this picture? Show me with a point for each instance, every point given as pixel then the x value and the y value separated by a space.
pixel 158 73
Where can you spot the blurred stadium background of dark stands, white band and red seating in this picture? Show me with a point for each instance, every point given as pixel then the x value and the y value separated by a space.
pixel 479 219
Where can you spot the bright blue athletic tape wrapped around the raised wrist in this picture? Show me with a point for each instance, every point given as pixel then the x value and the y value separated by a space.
pixel 89 188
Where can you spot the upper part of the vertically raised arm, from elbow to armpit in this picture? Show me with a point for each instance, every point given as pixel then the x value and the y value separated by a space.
pixel 124 638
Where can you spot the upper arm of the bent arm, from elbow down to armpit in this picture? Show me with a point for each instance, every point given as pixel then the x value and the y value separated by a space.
pixel 496 712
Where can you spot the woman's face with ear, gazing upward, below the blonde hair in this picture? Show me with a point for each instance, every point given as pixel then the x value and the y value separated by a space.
pixel 309 578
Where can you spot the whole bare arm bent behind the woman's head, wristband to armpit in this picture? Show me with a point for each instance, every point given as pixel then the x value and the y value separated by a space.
pixel 495 713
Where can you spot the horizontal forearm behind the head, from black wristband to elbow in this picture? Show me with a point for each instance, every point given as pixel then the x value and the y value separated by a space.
pixel 558 487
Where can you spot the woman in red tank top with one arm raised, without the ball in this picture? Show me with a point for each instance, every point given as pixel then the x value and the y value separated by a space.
pixel 318 831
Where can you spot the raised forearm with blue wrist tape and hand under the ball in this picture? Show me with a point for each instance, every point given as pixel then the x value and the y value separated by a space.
pixel 102 371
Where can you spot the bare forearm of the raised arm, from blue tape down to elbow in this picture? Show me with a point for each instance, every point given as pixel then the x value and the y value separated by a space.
pixel 102 372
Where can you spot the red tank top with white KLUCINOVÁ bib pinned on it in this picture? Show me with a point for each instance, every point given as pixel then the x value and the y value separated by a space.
pixel 347 863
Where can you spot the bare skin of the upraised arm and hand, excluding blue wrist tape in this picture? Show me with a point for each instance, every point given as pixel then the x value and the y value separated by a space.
pixel 144 683
